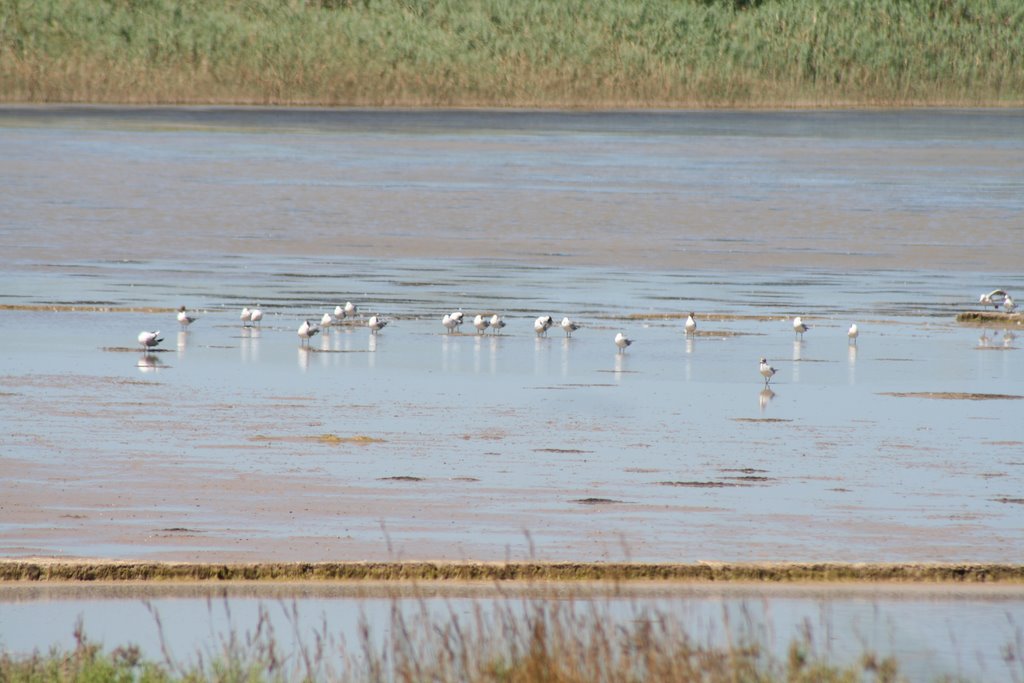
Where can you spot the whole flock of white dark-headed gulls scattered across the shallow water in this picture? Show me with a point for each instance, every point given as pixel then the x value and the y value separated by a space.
pixel 454 321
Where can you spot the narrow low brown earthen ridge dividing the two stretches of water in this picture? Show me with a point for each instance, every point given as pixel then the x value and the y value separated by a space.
pixel 16 571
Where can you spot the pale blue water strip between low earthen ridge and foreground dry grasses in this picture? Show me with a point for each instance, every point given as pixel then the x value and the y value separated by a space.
pixel 931 632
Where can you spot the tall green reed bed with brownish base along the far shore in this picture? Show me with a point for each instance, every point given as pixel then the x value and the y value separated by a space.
pixel 588 54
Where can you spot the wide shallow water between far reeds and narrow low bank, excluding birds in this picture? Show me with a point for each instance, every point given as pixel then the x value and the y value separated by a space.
pixel 460 447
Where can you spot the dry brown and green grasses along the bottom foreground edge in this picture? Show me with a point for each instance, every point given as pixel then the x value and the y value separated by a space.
pixel 547 642
